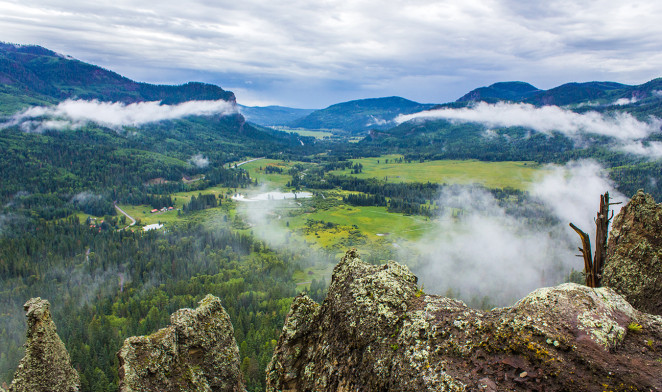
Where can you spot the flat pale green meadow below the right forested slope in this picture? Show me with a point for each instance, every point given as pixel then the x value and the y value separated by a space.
pixel 517 175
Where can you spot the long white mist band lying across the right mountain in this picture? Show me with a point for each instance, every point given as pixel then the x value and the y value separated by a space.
pixel 623 127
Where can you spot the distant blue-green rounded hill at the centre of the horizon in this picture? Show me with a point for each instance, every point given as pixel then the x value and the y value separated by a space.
pixel 361 115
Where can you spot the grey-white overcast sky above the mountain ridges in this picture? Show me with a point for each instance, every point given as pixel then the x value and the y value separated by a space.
pixel 312 54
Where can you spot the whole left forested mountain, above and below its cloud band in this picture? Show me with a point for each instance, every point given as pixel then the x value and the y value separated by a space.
pixel 44 170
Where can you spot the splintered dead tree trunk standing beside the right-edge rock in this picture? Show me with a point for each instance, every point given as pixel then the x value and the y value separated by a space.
pixel 593 265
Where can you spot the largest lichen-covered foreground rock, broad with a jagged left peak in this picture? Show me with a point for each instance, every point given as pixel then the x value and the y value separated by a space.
pixel 377 331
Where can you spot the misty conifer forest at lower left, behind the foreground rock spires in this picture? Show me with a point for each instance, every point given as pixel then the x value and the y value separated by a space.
pixel 105 286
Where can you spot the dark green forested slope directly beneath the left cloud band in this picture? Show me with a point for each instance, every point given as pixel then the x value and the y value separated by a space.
pixel 129 166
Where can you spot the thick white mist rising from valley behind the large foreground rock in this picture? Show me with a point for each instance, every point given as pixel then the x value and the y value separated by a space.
pixel 494 253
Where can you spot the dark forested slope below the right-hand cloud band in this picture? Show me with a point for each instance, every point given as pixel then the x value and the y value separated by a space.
pixel 435 140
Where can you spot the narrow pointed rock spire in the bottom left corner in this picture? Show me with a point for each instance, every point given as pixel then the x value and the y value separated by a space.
pixel 46 365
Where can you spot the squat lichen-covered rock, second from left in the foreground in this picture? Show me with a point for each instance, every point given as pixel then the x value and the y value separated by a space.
pixel 197 352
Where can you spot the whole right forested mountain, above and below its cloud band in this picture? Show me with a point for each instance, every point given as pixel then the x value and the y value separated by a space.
pixel 431 139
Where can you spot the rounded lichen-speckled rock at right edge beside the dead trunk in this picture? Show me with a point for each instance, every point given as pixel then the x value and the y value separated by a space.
pixel 634 254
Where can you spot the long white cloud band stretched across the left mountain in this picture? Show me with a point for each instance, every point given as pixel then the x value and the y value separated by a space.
pixel 76 113
